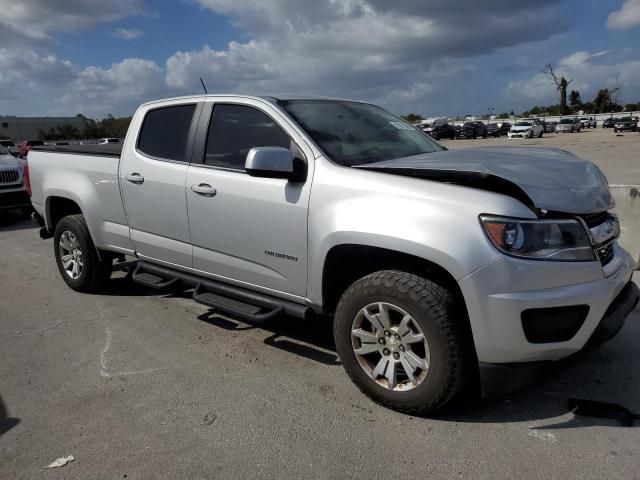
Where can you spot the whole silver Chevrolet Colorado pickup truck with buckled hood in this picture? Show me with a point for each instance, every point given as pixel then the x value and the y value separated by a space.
pixel 438 268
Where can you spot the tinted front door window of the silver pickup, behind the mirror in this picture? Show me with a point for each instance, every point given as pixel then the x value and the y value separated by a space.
pixel 236 129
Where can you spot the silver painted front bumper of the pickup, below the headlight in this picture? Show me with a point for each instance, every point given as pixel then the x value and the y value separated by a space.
pixel 498 294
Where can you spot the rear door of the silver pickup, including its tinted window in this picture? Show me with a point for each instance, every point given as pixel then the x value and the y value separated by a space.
pixel 152 175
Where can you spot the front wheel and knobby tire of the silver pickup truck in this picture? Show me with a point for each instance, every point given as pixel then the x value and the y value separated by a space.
pixel 434 312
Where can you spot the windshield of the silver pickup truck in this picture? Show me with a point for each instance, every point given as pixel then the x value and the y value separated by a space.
pixel 352 133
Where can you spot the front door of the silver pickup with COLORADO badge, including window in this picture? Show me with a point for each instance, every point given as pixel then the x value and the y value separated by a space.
pixel 247 230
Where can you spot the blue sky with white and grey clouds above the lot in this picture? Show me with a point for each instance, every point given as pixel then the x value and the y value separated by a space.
pixel 431 57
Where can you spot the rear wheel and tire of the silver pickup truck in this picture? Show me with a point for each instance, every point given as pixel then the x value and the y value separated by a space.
pixel 93 269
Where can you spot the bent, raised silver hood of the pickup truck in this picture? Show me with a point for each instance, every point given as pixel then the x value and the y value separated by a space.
pixel 542 178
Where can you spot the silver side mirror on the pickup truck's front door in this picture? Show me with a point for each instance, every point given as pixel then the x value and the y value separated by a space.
pixel 272 162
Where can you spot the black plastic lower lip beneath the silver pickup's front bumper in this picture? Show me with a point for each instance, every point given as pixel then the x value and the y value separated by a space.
pixel 499 379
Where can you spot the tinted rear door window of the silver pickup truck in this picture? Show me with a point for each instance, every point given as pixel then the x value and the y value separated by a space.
pixel 165 131
